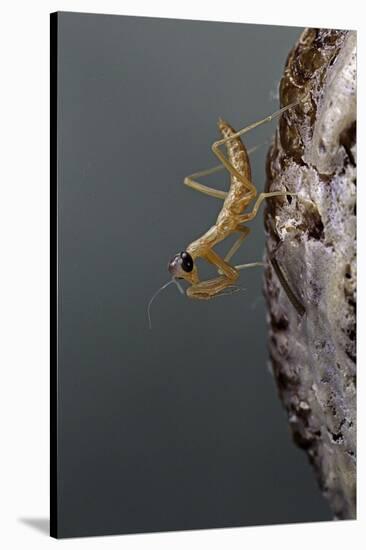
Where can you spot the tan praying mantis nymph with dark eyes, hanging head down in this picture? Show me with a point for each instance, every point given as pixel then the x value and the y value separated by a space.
pixel 231 219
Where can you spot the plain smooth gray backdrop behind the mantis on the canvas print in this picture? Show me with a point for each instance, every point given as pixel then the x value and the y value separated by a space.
pixel 179 427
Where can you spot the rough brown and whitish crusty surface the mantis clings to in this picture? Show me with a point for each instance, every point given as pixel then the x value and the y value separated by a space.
pixel 313 238
